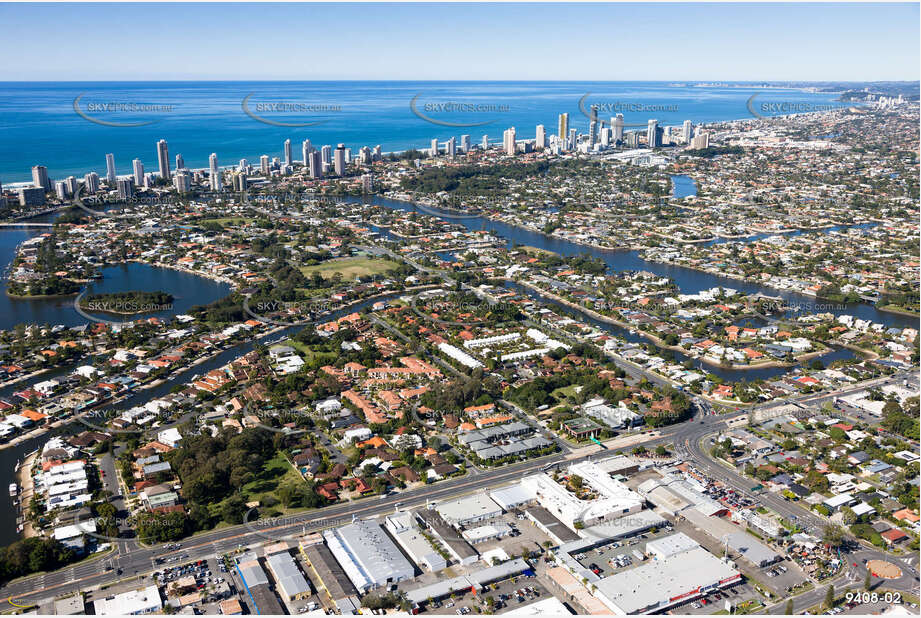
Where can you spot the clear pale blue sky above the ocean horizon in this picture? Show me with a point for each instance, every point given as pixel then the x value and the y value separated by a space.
pixel 604 42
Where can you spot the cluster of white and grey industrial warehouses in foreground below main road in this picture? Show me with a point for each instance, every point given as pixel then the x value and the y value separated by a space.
pixel 614 535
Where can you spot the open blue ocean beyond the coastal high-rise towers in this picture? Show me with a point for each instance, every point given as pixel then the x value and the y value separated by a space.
pixel 70 126
